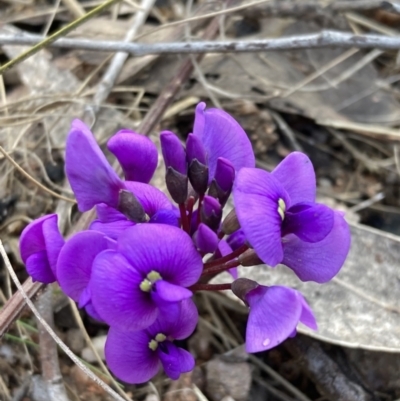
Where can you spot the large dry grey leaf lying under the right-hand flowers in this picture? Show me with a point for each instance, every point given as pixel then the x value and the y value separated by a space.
pixel 360 307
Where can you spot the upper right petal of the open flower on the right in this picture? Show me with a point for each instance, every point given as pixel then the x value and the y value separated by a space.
pixel 296 174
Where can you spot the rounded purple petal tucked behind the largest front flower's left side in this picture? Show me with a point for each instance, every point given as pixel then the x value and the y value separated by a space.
pixel 75 261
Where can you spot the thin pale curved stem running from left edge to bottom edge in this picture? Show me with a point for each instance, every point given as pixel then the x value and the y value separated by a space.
pixel 57 339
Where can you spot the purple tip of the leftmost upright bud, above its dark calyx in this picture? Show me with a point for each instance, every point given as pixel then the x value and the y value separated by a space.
pixel 173 152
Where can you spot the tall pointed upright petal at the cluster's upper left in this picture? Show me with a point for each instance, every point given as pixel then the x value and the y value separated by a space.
pixel 91 177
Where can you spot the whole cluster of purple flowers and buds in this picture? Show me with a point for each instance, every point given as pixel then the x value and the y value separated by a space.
pixel 142 258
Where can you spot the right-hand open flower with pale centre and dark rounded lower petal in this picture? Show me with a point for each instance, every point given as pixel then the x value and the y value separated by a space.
pixel 270 206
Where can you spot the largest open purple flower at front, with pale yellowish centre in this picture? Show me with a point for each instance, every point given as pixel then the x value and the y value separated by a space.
pixel 148 272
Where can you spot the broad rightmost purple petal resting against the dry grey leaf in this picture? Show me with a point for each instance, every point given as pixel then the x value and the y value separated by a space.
pixel 319 261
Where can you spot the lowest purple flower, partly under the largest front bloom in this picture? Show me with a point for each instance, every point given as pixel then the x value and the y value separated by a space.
pixel 135 357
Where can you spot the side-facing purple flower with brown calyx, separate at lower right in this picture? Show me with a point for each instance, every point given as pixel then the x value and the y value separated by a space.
pixel 274 313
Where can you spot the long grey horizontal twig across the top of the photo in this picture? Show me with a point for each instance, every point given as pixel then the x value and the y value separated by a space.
pixel 318 40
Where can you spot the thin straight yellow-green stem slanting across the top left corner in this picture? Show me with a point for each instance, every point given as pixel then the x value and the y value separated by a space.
pixel 62 32
